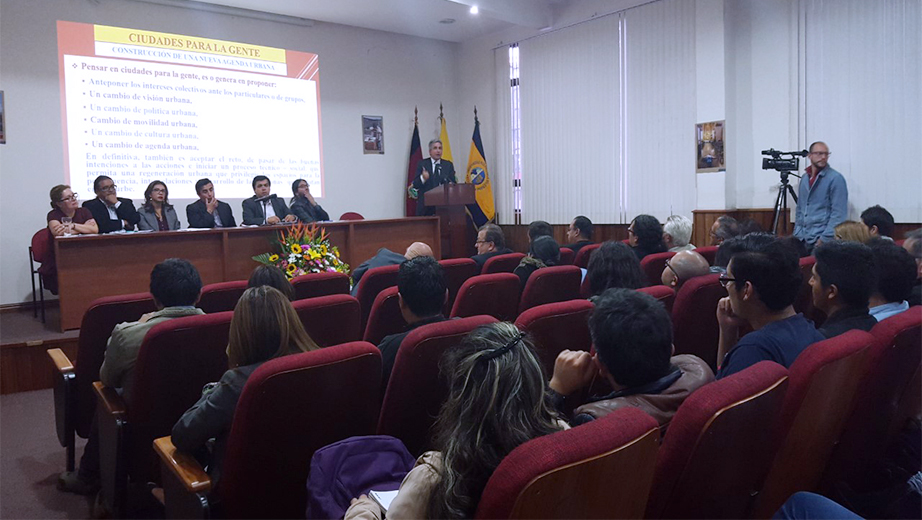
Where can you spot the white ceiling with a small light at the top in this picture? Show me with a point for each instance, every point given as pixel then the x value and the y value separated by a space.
pixel 414 17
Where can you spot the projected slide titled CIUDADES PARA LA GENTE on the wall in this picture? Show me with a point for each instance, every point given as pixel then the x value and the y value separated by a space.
pixel 141 105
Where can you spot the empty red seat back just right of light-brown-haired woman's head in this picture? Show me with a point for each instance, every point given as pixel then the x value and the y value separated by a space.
pixel 330 320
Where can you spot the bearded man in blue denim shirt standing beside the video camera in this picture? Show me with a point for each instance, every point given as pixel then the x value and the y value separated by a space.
pixel 822 200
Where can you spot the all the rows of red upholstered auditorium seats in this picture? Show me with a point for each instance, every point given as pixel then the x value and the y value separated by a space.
pixel 721 445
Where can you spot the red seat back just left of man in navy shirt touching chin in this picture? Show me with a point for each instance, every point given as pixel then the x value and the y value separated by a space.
pixel 694 318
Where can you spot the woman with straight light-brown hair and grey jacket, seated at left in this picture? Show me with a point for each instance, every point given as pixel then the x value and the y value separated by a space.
pixel 265 326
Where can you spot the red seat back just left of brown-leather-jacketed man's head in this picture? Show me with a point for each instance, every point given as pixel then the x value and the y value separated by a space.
pixel 554 327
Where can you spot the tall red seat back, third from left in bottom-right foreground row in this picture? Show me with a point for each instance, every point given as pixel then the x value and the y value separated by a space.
pixel 822 384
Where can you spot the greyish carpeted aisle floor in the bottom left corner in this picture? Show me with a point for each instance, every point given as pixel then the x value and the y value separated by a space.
pixel 31 458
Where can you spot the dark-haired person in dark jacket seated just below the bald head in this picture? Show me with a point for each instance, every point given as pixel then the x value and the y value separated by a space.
pixel 421 295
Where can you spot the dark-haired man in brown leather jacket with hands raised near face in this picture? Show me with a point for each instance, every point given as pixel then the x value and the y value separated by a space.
pixel 632 335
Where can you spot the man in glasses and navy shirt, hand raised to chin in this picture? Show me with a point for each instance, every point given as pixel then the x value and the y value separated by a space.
pixel 762 283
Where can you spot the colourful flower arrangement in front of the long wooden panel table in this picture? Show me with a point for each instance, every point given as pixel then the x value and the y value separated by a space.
pixel 304 249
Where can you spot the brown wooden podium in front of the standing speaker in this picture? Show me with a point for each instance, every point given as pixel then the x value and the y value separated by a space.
pixel 450 201
